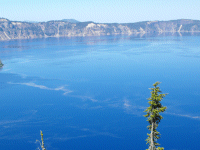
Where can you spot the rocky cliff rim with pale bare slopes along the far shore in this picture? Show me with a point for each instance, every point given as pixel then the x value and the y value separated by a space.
pixel 24 30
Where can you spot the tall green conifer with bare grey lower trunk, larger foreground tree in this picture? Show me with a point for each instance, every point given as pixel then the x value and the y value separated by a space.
pixel 154 117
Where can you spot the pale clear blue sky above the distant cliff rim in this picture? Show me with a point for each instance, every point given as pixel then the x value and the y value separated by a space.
pixel 101 11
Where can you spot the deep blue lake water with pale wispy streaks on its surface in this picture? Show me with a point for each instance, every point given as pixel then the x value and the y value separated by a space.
pixel 90 92
